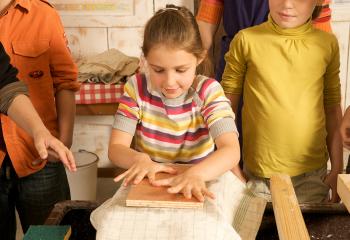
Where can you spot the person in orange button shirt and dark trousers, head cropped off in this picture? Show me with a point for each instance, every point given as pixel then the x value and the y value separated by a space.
pixel 33 36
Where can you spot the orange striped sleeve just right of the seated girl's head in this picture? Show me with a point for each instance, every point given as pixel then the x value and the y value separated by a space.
pixel 210 11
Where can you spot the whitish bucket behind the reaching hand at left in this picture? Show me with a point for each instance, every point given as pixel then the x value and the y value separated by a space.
pixel 83 182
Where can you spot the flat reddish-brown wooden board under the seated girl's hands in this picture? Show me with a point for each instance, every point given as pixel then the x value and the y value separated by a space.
pixel 146 195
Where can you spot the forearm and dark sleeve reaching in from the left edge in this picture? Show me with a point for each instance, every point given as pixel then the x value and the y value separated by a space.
pixel 15 103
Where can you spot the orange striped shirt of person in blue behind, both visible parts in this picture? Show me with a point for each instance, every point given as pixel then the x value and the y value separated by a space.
pixel 211 11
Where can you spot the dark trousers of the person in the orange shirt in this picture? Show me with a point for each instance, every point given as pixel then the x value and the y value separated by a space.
pixel 33 196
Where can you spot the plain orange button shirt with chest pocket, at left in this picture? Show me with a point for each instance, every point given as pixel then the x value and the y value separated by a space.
pixel 33 37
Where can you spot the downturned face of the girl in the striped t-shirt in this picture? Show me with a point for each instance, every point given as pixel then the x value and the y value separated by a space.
pixel 171 71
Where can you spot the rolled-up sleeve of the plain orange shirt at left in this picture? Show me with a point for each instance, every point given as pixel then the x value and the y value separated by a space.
pixel 63 69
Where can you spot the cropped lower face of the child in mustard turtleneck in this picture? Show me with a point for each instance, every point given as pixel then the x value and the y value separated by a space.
pixel 291 13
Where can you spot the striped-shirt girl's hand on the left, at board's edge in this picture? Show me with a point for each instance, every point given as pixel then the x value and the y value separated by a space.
pixel 143 167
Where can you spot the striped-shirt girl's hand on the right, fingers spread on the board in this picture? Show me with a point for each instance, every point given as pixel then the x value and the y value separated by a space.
pixel 188 183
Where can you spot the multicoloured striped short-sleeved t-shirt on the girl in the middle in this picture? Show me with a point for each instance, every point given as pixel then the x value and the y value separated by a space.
pixel 174 130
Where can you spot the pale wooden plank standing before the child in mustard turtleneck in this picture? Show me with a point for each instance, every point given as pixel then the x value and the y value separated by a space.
pixel 289 220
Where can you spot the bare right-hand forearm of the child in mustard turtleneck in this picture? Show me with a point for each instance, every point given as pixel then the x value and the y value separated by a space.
pixel 334 146
